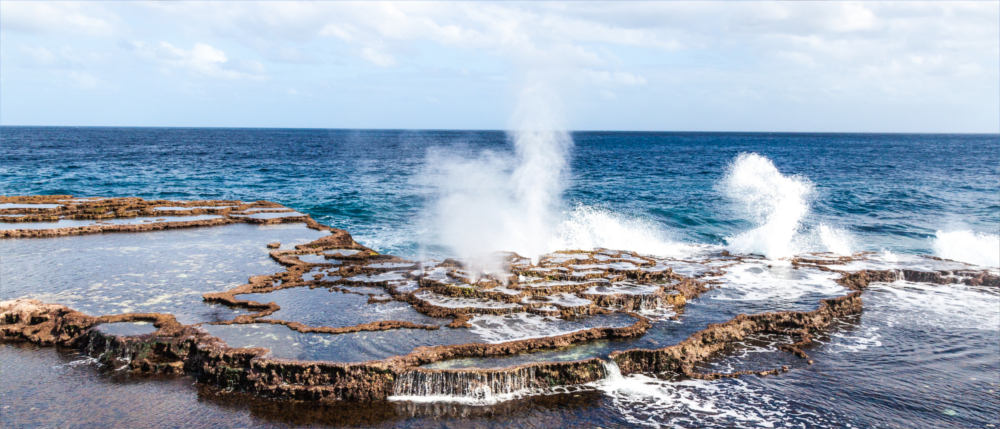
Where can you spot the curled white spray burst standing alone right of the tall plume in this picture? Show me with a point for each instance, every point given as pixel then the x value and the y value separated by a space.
pixel 776 204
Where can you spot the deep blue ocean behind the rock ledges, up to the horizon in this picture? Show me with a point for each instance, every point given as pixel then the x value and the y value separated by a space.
pixel 887 191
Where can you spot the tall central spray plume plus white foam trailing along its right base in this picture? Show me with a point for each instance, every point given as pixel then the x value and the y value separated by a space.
pixel 493 202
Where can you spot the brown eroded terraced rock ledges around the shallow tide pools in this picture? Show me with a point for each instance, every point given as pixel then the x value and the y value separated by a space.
pixel 572 285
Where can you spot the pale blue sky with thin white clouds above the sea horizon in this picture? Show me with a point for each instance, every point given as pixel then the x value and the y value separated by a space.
pixel 659 66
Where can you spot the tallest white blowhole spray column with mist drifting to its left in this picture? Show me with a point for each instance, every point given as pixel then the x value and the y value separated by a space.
pixel 491 202
